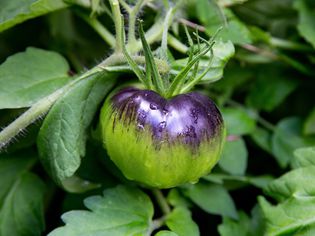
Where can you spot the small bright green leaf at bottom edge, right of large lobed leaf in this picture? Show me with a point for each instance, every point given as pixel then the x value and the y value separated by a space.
pixel 180 221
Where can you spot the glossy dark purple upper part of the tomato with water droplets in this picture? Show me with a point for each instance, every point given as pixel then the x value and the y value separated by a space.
pixel 191 118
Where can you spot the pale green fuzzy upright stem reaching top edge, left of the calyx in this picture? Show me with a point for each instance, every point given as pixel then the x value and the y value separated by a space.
pixel 118 24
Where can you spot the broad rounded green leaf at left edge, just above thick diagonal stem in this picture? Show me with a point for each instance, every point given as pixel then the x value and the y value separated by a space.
pixel 29 76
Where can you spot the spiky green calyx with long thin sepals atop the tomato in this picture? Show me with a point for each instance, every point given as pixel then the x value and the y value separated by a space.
pixel 170 86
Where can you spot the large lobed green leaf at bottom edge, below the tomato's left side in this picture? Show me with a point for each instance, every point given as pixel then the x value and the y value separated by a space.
pixel 120 211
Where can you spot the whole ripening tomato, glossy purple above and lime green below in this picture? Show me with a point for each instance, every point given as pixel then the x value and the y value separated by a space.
pixel 162 142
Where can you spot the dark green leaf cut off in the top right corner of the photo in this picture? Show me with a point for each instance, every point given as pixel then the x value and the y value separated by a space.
pixel 306 21
